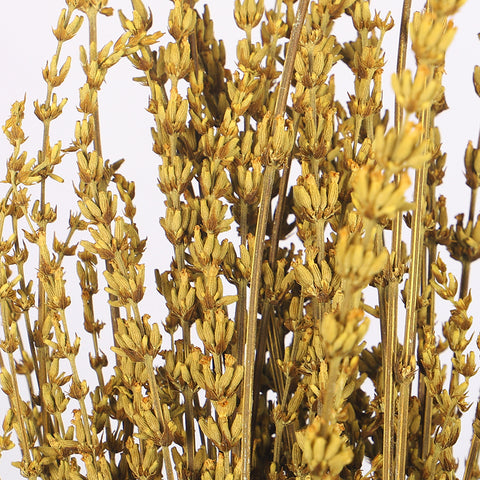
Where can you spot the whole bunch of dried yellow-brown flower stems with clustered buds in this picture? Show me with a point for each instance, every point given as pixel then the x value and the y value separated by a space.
pixel 260 367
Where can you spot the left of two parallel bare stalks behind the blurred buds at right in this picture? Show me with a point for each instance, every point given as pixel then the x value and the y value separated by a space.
pixel 390 324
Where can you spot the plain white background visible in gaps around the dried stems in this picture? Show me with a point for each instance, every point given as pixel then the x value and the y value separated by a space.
pixel 27 43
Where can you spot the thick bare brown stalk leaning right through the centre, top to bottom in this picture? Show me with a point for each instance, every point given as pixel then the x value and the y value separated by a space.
pixel 267 187
